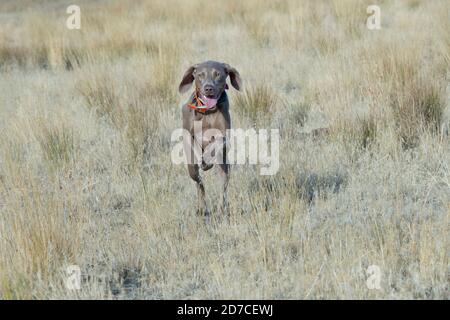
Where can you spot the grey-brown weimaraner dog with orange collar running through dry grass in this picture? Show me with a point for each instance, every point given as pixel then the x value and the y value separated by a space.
pixel 206 109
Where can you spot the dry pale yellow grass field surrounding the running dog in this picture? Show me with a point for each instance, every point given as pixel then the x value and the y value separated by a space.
pixel 86 176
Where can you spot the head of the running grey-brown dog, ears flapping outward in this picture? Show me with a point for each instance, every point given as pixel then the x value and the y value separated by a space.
pixel 210 78
